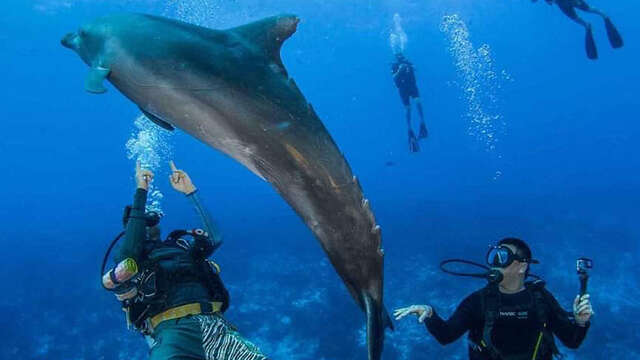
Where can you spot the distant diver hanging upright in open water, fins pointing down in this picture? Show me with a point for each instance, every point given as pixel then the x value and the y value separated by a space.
pixel 405 80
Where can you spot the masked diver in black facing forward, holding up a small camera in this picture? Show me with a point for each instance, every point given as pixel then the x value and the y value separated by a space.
pixel 509 319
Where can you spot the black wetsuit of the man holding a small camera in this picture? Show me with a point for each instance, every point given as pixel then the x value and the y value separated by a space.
pixel 516 327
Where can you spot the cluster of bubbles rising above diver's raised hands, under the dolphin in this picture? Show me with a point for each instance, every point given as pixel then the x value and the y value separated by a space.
pixel 151 145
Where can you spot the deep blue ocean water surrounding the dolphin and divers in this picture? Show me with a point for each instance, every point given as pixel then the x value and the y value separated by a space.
pixel 528 138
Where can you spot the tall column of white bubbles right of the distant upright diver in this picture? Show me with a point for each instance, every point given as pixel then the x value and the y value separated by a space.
pixel 480 82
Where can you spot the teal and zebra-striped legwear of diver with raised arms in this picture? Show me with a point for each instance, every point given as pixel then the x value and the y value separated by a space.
pixel 206 337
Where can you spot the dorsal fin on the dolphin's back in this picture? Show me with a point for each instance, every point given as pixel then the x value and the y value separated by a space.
pixel 269 34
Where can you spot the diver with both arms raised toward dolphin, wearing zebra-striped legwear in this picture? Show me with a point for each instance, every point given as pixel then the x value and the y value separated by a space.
pixel 169 290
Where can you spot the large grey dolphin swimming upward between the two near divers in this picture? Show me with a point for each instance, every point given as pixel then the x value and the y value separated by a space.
pixel 230 89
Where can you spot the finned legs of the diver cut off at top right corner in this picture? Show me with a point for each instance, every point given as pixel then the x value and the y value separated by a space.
pixel 569 7
